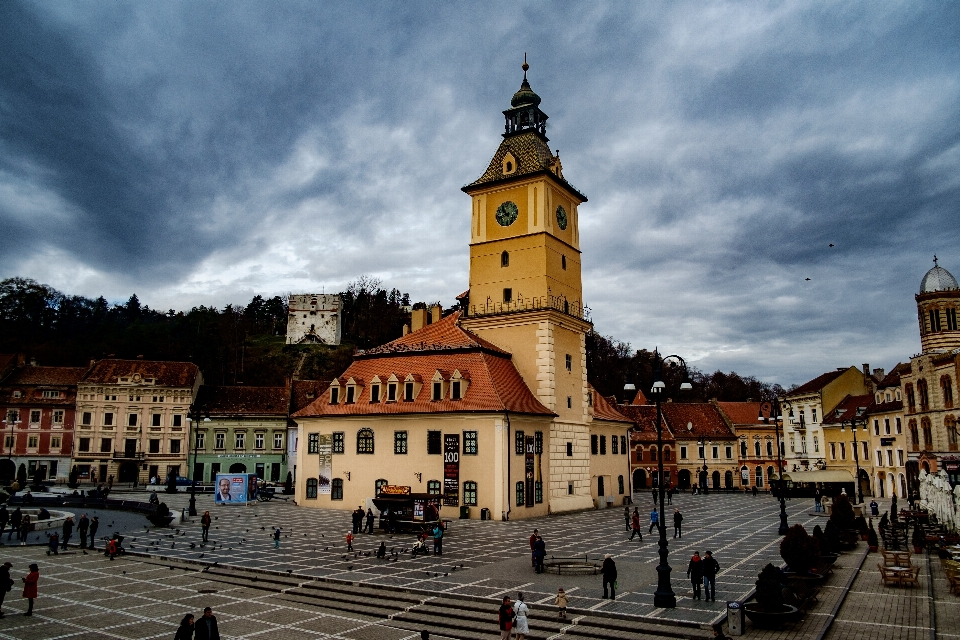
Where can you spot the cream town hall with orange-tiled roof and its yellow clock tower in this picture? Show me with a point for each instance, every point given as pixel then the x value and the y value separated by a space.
pixel 488 407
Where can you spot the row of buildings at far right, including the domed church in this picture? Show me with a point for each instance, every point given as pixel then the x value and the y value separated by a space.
pixel 883 428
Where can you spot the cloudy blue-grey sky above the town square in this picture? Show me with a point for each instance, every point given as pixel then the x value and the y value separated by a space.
pixel 203 152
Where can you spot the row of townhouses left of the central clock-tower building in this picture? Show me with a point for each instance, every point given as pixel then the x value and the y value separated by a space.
pixel 137 420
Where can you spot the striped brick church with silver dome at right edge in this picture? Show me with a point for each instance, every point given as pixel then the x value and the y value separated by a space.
pixel 930 380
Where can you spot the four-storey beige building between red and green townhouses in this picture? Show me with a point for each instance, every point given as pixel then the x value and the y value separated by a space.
pixel 132 418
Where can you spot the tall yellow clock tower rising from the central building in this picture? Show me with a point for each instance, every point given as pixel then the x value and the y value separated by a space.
pixel 525 284
